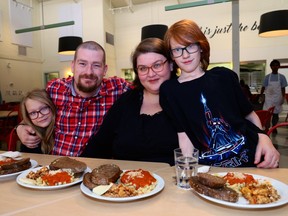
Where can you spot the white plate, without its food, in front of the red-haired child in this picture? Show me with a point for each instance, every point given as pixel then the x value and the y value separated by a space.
pixel 281 188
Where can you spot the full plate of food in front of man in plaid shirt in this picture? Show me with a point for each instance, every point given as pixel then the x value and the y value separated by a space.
pixel 61 173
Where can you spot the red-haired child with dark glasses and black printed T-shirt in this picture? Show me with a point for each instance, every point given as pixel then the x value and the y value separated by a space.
pixel 209 108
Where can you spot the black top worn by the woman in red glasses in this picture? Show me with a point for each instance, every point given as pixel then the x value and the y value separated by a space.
pixel 126 134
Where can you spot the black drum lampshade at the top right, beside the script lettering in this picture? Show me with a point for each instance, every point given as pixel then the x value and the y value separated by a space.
pixel 274 24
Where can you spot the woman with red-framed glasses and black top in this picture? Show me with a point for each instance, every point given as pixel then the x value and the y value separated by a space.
pixel 136 128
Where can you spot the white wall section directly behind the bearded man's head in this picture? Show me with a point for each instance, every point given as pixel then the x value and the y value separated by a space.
pixel 94 25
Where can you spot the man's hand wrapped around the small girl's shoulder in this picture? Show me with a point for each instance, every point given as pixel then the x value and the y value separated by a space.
pixel 27 136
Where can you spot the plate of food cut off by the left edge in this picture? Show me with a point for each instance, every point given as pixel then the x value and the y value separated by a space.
pixel 10 167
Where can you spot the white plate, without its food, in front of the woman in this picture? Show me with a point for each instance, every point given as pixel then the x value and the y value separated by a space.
pixel 157 189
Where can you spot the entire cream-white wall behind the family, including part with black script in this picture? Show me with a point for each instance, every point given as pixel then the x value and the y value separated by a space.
pixel 27 72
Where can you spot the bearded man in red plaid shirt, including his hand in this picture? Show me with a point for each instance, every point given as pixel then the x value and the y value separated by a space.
pixel 81 101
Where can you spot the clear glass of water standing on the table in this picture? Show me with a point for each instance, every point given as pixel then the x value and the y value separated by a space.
pixel 186 166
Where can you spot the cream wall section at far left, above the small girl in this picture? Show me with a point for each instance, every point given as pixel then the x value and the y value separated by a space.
pixel 18 73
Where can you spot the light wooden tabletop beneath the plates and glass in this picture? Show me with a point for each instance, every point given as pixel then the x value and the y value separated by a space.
pixel 17 200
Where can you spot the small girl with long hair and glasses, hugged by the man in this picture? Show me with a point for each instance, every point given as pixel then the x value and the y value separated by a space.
pixel 38 111
